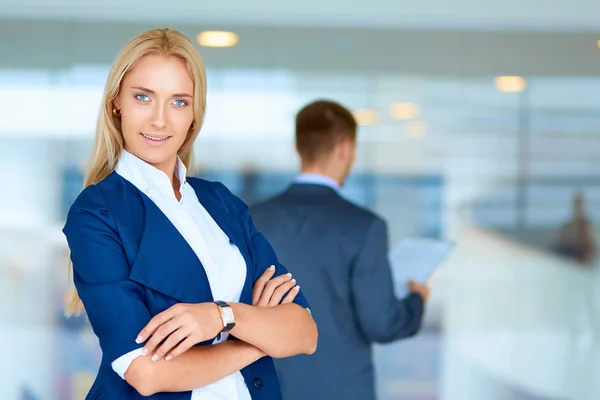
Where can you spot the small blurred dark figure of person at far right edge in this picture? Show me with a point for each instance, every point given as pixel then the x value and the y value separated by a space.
pixel 576 239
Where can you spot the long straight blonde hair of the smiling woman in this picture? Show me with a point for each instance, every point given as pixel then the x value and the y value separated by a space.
pixel 108 143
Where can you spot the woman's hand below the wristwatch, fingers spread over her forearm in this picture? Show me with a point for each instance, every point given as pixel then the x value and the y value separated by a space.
pixel 181 327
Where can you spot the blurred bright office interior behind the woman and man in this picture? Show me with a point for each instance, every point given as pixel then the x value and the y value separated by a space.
pixel 480 123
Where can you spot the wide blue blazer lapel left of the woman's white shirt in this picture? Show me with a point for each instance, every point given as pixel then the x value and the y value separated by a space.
pixel 166 263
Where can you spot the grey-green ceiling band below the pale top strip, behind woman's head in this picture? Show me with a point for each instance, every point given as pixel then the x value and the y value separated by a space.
pixel 61 44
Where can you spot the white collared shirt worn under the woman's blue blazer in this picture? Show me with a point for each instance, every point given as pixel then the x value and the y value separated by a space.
pixel 224 264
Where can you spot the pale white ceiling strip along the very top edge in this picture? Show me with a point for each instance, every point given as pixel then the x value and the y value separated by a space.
pixel 552 15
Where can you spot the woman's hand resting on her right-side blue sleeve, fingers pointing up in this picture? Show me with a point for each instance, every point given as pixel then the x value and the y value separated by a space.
pixel 268 292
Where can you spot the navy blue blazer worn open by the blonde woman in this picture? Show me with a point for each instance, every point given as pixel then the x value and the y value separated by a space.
pixel 130 263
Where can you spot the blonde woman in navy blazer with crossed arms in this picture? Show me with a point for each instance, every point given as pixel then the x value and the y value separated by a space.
pixel 171 271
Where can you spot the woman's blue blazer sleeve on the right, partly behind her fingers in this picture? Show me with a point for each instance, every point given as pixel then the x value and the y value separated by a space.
pixel 261 252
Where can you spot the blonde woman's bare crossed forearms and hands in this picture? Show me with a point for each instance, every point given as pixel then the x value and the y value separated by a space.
pixel 266 328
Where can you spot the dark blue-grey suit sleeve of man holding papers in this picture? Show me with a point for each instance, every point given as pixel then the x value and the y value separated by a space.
pixel 380 315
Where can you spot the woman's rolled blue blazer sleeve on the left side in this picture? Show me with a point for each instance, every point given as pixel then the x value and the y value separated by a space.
pixel 113 303
